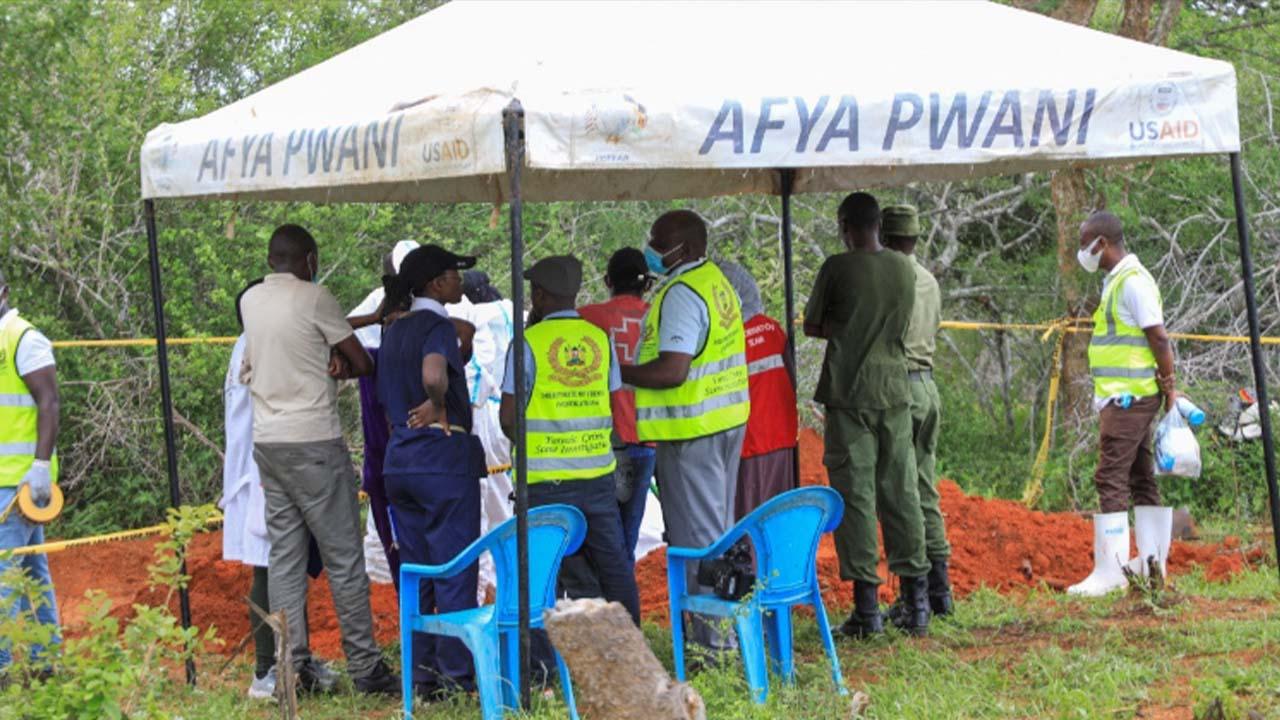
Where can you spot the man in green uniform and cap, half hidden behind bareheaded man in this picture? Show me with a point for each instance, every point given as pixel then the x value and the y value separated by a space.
pixel 900 225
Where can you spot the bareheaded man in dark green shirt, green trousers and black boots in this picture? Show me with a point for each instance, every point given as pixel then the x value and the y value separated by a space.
pixel 862 306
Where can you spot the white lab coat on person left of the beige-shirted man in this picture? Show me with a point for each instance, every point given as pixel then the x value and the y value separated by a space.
pixel 244 504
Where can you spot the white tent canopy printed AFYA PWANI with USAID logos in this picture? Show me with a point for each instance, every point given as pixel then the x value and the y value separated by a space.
pixel 707 98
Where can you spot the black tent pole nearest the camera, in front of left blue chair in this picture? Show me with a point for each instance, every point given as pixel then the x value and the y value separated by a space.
pixel 513 121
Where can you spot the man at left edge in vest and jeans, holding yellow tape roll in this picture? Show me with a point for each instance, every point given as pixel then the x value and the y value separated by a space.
pixel 29 432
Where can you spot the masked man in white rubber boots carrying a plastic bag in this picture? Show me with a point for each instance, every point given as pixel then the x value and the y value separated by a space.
pixel 1132 363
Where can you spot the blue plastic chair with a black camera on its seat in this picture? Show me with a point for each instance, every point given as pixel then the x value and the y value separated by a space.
pixel 785 532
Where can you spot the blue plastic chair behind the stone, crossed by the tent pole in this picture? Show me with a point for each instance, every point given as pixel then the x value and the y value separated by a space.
pixel 492 632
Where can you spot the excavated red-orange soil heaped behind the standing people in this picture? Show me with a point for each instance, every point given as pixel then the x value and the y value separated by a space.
pixel 995 543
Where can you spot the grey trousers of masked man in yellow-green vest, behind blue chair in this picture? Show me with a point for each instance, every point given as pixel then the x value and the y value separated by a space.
pixel 697 484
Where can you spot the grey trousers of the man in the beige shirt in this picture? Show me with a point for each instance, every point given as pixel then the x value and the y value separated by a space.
pixel 310 491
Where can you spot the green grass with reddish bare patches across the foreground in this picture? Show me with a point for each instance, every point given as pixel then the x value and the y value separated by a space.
pixel 1043 655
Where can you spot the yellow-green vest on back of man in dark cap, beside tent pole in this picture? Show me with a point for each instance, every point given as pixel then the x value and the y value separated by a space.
pixel 569 420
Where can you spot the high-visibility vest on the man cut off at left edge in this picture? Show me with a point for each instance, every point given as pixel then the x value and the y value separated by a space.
pixel 19 413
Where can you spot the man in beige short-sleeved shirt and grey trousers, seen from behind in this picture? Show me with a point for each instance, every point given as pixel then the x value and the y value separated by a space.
pixel 299 344
